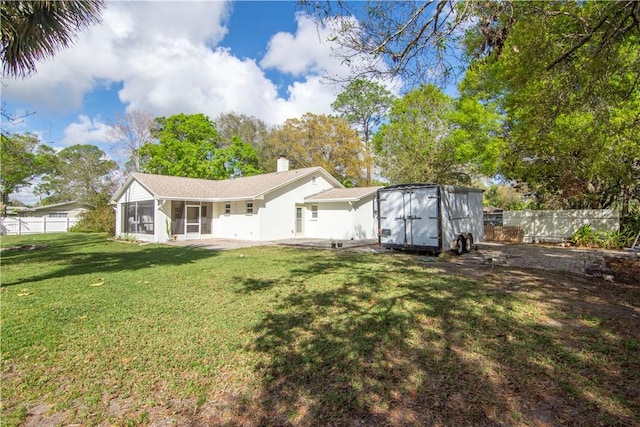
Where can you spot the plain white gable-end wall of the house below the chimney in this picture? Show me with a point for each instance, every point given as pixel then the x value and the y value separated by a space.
pixel 278 217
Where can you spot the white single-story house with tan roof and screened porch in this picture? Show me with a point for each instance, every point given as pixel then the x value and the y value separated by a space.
pixel 305 202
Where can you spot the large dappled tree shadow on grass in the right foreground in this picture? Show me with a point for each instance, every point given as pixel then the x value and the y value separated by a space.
pixel 417 345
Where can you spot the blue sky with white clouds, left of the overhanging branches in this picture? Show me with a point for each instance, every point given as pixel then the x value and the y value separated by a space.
pixel 261 58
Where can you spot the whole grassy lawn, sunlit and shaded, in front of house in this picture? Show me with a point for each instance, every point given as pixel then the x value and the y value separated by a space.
pixel 97 332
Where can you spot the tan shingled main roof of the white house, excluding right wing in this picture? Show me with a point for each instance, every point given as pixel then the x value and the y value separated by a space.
pixel 244 188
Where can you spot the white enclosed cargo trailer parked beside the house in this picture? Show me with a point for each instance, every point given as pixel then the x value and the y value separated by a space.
pixel 430 217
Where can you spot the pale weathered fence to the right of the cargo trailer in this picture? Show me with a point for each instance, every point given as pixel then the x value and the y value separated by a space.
pixel 555 226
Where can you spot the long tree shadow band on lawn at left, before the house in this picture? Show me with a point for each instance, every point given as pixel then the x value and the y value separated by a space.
pixel 90 254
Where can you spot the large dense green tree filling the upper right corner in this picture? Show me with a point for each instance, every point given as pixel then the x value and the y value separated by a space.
pixel 566 83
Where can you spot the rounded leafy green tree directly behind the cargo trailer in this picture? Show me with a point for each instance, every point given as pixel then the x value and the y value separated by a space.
pixel 431 137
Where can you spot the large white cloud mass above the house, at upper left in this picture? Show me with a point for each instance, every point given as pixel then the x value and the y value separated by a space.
pixel 167 60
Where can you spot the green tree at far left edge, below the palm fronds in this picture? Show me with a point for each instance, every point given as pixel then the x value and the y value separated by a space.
pixel 22 158
